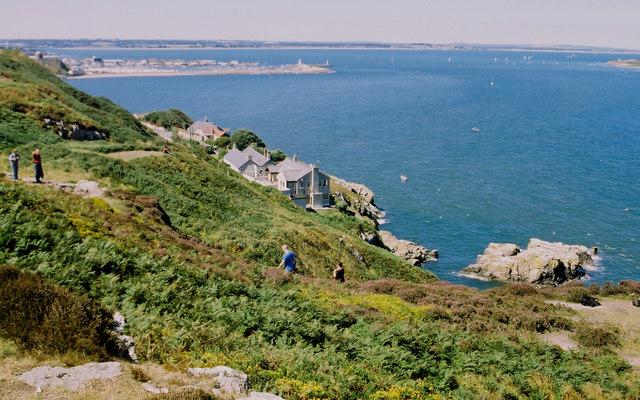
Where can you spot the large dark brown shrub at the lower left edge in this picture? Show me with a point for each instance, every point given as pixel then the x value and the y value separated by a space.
pixel 41 316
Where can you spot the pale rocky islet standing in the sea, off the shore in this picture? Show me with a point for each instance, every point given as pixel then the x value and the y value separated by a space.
pixel 541 263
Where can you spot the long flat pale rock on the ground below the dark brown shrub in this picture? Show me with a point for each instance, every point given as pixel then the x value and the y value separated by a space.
pixel 71 378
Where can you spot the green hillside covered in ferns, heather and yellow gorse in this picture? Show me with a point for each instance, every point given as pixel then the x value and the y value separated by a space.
pixel 186 250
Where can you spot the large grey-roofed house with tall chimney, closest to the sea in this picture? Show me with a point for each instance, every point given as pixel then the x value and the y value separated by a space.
pixel 305 184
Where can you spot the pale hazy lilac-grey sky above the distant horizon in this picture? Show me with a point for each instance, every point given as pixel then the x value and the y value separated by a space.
pixel 612 23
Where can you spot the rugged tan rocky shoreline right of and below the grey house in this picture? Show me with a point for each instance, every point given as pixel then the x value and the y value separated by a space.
pixel 359 200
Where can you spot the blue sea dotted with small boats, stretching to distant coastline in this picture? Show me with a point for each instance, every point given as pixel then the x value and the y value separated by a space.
pixel 557 156
